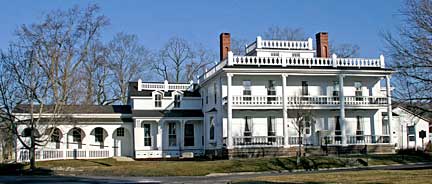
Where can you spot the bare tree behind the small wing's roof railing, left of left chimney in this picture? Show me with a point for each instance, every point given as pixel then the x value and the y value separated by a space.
pixel 179 61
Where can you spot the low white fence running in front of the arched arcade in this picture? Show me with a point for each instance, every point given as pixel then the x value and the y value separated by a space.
pixel 48 154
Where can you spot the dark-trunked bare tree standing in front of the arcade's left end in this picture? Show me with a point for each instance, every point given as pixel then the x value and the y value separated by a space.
pixel 22 73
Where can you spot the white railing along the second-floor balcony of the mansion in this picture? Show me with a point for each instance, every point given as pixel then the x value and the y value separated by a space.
pixel 275 101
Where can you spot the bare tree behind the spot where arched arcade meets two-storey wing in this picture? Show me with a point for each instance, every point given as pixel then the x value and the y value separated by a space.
pixel 127 60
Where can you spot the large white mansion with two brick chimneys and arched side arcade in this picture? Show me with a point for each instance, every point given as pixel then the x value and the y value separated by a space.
pixel 246 106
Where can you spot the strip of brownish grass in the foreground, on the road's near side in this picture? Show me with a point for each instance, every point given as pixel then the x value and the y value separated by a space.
pixel 370 176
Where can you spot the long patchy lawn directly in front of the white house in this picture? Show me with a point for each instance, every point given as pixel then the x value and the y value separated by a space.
pixel 111 167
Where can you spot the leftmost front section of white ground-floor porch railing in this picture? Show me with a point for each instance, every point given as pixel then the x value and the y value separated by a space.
pixel 258 141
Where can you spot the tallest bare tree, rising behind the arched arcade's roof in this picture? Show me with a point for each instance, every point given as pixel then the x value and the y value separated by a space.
pixel 61 43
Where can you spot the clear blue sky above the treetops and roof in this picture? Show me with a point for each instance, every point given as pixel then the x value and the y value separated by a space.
pixel 356 22
